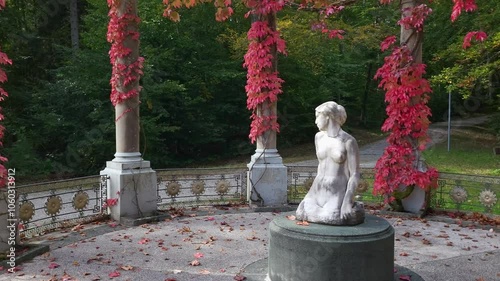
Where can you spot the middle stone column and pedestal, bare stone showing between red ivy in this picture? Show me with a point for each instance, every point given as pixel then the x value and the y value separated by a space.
pixel 267 176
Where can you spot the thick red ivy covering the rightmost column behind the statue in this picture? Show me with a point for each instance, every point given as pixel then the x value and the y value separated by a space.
pixel 407 95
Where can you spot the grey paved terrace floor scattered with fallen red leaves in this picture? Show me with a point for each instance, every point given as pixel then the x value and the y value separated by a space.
pixel 214 244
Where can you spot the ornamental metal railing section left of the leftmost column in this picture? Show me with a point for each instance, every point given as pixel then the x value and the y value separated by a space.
pixel 52 205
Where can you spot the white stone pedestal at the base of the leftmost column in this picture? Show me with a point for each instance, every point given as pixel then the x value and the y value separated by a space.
pixel 133 183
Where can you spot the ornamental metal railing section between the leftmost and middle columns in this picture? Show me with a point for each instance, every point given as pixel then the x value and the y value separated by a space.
pixel 195 187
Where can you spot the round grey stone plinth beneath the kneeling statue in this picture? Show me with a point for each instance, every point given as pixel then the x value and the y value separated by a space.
pixel 327 253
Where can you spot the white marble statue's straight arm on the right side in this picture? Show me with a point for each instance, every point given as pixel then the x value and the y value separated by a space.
pixel 354 175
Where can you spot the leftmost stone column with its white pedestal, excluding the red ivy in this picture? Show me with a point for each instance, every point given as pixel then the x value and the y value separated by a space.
pixel 131 179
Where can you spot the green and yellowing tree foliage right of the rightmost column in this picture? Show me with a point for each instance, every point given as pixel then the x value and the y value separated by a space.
pixel 472 75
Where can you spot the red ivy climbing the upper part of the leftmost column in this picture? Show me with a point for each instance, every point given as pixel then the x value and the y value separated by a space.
pixel 124 71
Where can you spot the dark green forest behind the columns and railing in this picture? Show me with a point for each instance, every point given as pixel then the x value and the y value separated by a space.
pixel 59 120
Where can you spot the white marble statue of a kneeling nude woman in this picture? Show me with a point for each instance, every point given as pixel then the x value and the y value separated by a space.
pixel 330 198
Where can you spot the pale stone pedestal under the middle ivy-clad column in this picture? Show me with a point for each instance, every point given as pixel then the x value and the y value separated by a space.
pixel 267 178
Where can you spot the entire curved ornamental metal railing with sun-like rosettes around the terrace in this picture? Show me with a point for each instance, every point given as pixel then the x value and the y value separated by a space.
pixel 50 205
